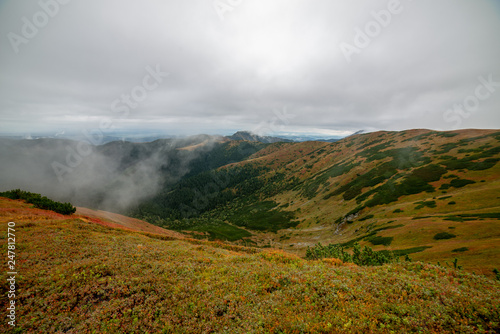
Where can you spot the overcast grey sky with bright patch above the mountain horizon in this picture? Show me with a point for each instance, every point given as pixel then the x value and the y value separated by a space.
pixel 322 66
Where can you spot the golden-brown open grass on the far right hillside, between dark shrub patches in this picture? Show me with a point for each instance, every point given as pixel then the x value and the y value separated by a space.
pixel 317 214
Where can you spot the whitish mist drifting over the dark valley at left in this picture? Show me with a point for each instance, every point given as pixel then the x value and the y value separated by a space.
pixel 115 177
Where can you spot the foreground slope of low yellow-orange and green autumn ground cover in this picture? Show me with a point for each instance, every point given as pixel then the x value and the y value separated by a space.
pixel 79 276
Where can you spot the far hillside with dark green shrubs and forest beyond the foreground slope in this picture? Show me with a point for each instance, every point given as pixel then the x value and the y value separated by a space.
pixel 419 192
